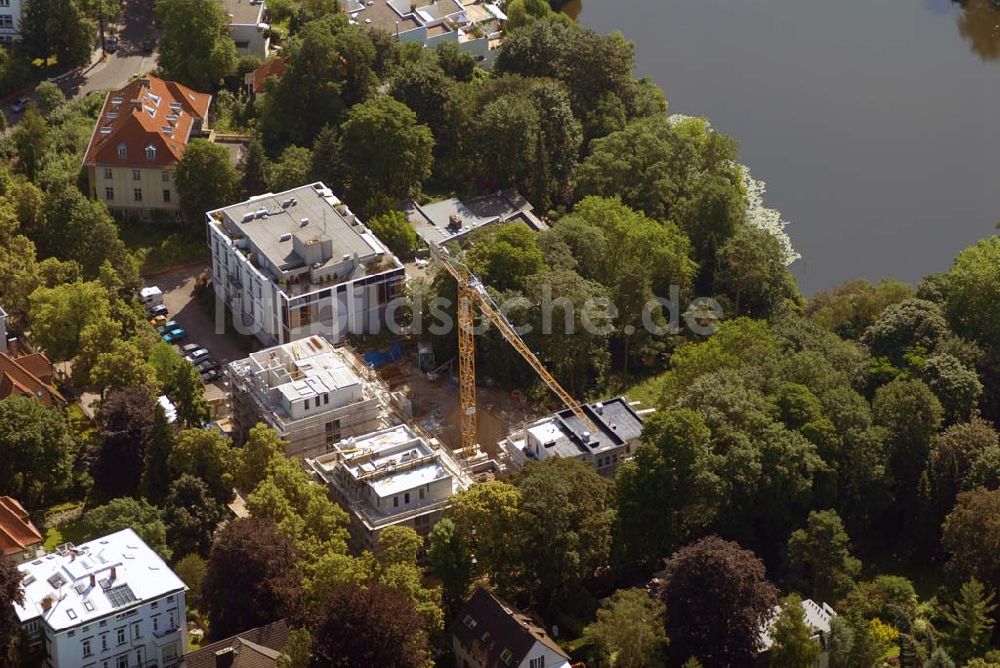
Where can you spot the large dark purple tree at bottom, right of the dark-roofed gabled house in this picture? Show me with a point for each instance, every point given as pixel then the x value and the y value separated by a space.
pixel 717 599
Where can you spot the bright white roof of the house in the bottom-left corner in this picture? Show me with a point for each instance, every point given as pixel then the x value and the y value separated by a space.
pixel 92 580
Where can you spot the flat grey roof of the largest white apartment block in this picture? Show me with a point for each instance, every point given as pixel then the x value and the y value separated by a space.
pixel 273 223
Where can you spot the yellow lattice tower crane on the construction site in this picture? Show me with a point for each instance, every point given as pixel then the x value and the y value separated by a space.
pixel 472 292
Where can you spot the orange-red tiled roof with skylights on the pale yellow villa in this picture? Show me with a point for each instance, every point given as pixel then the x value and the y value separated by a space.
pixel 147 112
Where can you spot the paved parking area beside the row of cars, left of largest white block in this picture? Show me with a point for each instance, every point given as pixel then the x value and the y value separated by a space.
pixel 178 288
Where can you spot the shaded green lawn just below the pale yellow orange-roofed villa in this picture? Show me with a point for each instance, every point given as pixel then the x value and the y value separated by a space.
pixel 161 246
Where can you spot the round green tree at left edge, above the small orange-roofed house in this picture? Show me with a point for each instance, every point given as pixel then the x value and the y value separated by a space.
pixel 38 450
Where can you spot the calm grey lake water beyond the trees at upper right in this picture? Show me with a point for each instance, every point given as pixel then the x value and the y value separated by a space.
pixel 875 123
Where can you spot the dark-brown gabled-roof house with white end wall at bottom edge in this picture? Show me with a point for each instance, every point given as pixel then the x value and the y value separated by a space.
pixel 490 633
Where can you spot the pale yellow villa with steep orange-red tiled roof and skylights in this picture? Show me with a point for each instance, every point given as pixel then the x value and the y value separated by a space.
pixel 139 138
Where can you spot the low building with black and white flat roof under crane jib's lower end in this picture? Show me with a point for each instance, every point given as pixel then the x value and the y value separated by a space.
pixel 564 434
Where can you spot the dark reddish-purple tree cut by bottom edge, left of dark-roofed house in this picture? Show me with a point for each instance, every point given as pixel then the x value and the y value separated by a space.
pixel 366 626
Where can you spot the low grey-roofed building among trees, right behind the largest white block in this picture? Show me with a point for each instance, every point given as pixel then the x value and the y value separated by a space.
pixel 452 219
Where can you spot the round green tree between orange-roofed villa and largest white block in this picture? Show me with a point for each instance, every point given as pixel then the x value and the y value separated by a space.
pixel 205 179
